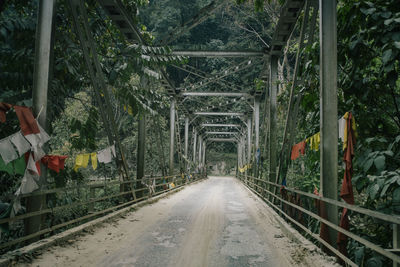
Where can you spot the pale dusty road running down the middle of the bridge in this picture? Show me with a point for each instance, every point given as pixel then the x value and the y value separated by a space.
pixel 217 222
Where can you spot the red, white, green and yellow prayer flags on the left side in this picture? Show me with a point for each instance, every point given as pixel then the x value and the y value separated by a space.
pixel 22 152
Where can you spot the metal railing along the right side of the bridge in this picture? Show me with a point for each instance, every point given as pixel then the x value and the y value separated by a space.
pixel 263 188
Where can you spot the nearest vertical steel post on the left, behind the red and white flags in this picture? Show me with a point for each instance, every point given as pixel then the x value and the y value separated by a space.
pixel 43 50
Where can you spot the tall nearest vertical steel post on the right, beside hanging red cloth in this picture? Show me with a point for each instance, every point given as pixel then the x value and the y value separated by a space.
pixel 328 110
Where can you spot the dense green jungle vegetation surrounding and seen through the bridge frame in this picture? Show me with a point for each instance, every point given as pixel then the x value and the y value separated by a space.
pixel 368 86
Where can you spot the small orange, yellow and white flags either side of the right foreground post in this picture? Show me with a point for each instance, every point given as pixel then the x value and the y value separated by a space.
pixel 315 140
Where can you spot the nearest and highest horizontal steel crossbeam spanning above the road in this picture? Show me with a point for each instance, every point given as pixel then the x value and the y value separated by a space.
pixel 224 54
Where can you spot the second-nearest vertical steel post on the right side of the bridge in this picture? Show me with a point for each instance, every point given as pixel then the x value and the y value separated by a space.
pixel 273 89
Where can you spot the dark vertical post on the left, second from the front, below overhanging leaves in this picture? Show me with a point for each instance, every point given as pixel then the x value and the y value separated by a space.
pixel 140 153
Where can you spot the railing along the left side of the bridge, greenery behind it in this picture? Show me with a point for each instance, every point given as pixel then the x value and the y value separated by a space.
pixel 73 205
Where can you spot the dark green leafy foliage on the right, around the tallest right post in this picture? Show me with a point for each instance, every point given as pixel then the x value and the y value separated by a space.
pixel 369 86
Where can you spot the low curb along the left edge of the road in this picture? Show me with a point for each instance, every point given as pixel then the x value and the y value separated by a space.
pixel 9 257
